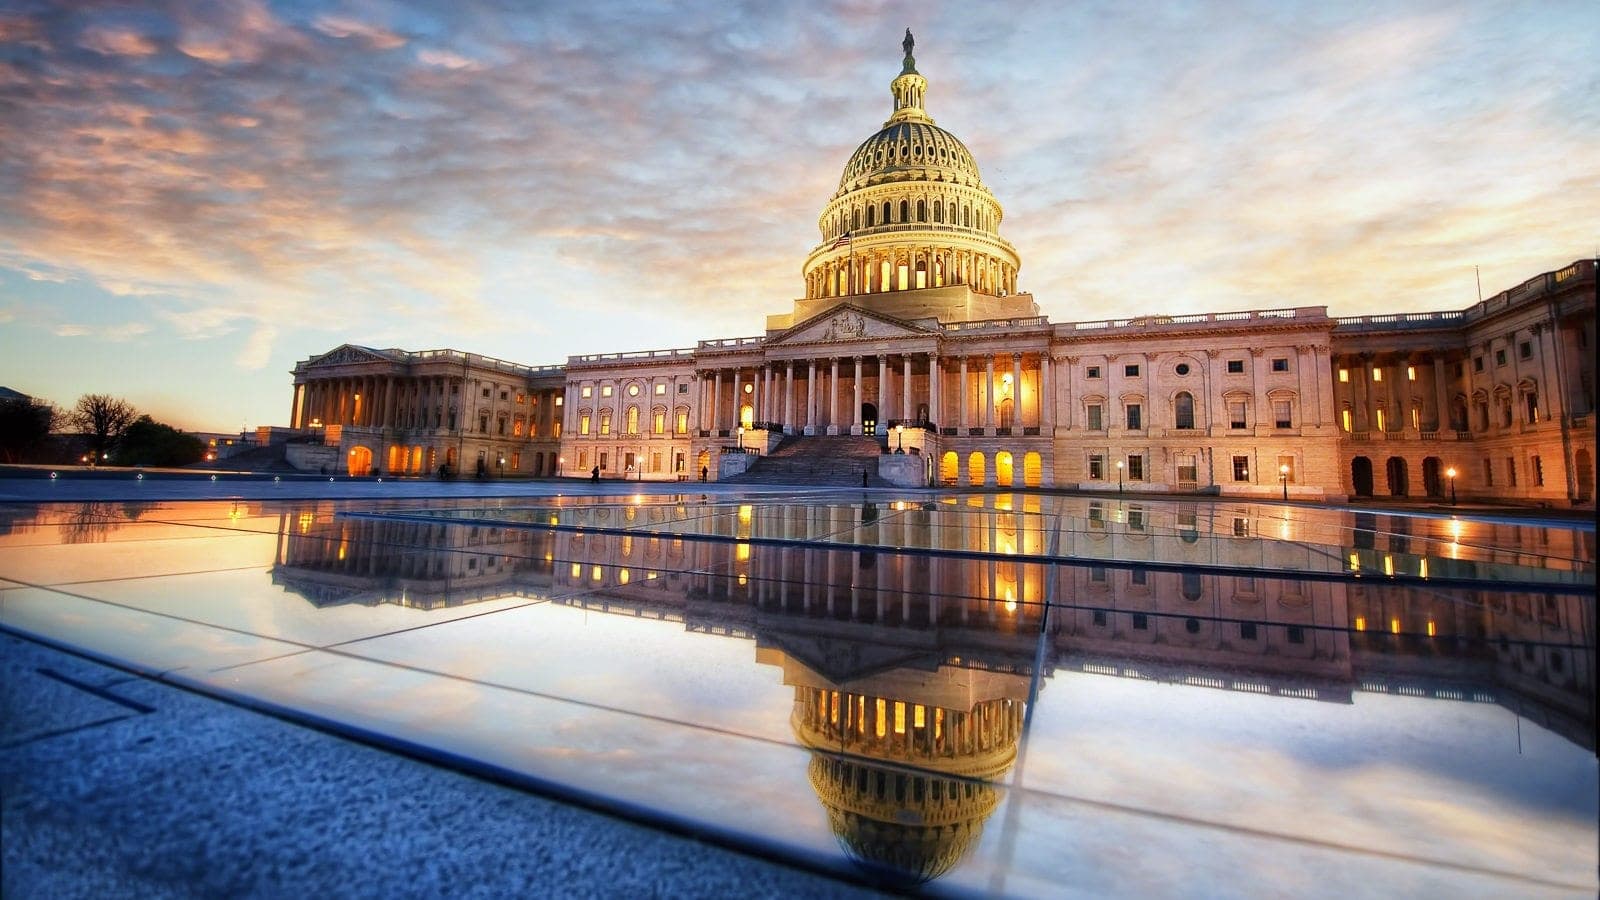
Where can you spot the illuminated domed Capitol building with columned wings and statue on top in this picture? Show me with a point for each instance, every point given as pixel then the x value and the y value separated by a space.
pixel 914 358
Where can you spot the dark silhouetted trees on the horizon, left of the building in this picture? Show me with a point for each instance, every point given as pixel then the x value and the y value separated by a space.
pixel 110 432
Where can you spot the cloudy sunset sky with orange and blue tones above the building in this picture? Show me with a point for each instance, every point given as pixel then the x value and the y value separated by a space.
pixel 196 196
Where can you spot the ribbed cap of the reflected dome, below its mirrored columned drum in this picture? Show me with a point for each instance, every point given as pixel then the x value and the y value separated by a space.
pixel 903 827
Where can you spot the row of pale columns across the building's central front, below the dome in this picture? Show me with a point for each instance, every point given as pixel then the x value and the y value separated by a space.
pixel 775 392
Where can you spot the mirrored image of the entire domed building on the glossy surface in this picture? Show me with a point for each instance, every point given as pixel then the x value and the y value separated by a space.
pixel 911 673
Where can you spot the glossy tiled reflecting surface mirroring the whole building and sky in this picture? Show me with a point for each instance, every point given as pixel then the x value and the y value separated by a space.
pixel 999 694
